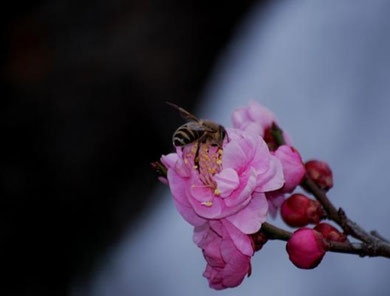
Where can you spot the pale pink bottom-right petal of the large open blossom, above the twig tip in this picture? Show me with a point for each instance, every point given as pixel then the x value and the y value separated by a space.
pixel 250 218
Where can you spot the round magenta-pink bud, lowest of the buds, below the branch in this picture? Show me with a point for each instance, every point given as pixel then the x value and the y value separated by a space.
pixel 306 248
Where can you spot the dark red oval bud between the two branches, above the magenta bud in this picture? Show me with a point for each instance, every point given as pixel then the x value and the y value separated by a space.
pixel 299 210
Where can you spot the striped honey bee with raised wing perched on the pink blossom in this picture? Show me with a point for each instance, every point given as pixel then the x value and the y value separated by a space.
pixel 198 131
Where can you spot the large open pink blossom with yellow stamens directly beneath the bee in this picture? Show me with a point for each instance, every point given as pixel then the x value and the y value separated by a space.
pixel 228 183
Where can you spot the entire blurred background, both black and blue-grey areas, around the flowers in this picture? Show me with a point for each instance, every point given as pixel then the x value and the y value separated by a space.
pixel 83 114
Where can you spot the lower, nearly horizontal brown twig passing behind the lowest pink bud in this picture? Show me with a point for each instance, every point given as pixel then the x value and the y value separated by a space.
pixel 377 249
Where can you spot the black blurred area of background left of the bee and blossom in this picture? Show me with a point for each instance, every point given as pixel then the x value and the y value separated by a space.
pixel 82 117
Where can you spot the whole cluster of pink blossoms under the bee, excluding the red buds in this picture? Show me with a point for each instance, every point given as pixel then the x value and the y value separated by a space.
pixel 227 193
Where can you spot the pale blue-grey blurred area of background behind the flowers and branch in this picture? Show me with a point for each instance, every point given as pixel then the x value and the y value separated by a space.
pixel 323 67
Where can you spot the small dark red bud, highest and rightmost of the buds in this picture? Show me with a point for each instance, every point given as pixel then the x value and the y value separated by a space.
pixel 320 173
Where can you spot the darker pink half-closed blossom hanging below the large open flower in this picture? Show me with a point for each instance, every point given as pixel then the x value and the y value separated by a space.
pixel 227 265
